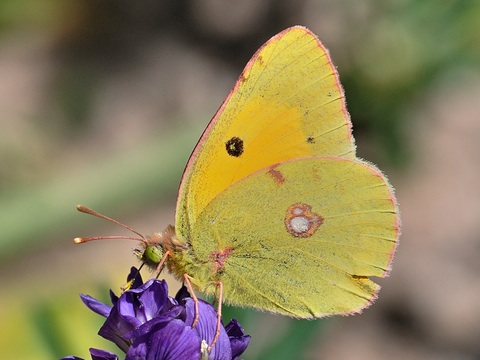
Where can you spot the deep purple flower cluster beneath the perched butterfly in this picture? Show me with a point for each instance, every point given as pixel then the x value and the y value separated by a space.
pixel 145 323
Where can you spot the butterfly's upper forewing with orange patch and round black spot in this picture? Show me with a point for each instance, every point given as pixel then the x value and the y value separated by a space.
pixel 287 103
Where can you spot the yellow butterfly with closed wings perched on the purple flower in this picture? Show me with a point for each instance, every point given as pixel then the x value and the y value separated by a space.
pixel 274 205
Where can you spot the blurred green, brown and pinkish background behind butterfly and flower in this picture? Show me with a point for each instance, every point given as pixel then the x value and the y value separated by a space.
pixel 101 102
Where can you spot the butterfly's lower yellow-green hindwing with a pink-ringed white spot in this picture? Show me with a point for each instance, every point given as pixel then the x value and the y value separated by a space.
pixel 299 238
